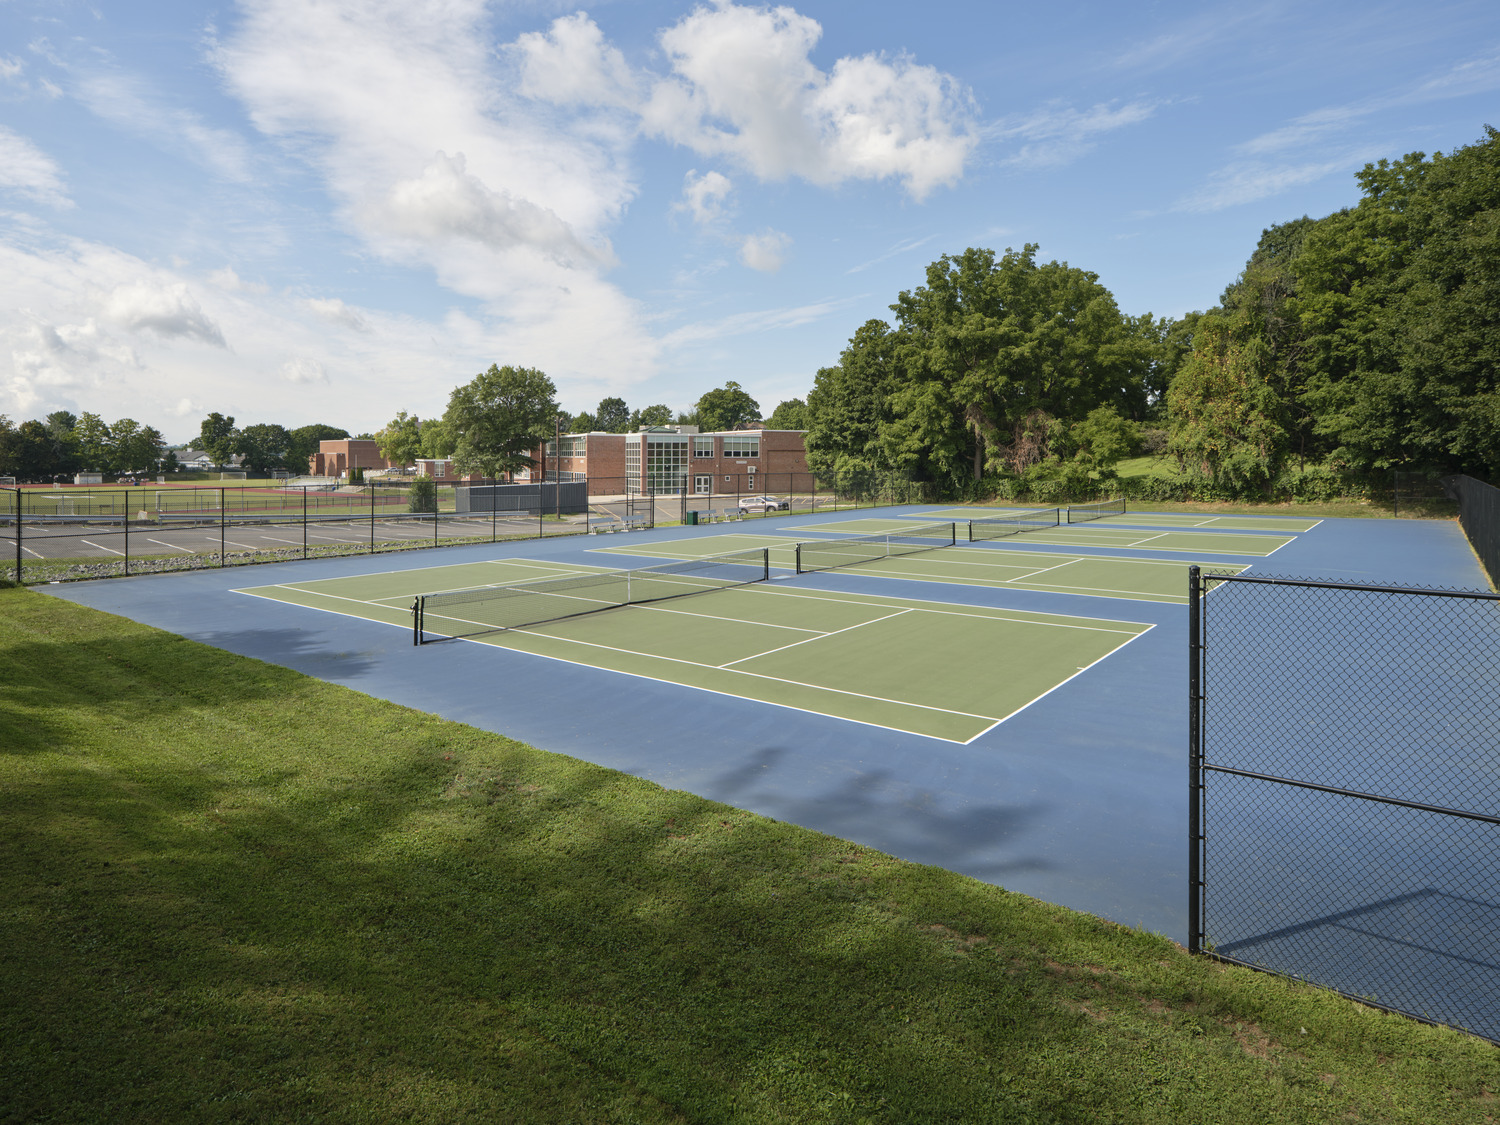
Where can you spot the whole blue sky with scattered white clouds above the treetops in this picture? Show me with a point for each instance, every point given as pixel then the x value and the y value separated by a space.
pixel 331 211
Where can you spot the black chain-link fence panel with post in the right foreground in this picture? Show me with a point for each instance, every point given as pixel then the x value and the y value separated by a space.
pixel 1345 820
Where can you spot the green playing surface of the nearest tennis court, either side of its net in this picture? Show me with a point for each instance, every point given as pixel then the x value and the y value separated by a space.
pixel 928 668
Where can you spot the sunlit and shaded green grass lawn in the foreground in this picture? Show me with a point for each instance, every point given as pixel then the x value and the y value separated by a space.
pixel 233 893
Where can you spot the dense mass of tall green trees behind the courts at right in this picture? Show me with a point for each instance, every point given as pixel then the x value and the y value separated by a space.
pixel 1349 346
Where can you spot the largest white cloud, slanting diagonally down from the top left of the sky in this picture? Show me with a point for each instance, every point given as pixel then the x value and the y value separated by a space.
pixel 434 164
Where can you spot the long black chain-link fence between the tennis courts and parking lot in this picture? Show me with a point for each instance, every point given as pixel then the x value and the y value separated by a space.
pixel 103 532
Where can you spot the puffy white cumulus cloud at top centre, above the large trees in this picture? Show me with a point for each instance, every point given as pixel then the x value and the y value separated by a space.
pixel 743 86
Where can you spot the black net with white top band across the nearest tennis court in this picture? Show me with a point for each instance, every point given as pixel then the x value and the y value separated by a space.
pixel 487 610
